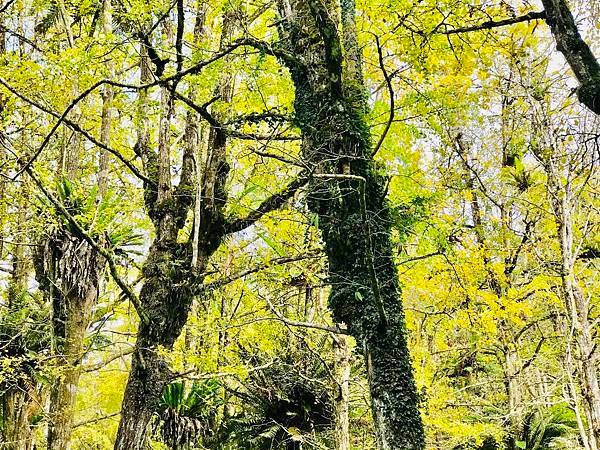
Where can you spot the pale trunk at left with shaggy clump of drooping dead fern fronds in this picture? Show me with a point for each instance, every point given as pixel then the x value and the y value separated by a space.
pixel 69 272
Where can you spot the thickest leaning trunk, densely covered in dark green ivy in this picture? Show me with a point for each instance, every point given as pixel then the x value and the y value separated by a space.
pixel 347 194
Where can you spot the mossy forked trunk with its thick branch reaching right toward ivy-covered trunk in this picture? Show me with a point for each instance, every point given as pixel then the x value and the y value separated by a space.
pixel 173 271
